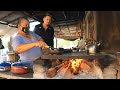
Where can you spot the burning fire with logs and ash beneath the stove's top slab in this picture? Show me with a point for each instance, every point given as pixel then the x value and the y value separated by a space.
pixel 75 68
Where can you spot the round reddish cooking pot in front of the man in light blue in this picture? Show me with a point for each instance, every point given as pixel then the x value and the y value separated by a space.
pixel 19 68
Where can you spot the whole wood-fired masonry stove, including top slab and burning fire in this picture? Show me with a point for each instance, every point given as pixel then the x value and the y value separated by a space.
pixel 72 66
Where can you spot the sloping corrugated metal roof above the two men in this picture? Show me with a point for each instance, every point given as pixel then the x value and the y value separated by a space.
pixel 65 23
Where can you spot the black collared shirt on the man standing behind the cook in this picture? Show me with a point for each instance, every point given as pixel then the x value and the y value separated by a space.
pixel 47 35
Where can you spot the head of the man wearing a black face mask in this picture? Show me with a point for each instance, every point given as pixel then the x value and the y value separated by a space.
pixel 23 25
